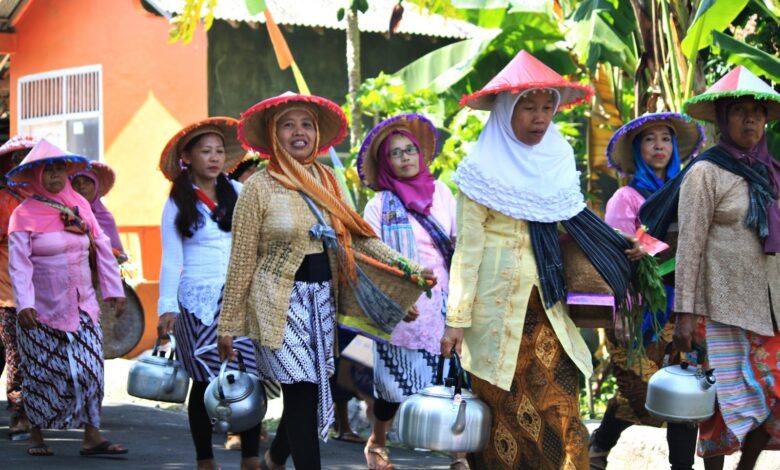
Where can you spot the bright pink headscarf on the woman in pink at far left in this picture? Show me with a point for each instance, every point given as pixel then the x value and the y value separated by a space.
pixel 35 216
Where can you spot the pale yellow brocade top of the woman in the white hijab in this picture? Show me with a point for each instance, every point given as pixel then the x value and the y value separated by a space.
pixel 493 274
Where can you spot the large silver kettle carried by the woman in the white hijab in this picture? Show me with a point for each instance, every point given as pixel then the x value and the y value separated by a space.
pixel 444 416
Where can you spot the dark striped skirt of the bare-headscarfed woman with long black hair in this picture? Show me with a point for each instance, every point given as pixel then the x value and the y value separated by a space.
pixel 197 347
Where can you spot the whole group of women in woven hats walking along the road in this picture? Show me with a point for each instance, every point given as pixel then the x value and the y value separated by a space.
pixel 261 267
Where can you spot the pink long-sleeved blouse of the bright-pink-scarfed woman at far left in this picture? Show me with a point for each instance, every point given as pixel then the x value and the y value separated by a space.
pixel 50 273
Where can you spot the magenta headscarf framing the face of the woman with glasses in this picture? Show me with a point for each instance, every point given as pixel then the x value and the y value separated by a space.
pixel 416 192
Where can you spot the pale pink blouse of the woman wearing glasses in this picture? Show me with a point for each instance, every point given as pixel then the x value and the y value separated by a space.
pixel 426 331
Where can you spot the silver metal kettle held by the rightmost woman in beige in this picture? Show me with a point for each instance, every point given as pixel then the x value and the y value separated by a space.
pixel 682 393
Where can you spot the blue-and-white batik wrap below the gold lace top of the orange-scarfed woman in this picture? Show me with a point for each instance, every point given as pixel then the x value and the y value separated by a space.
pixel 306 354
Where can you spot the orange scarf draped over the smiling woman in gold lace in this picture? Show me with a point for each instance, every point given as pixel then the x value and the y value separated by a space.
pixel 297 176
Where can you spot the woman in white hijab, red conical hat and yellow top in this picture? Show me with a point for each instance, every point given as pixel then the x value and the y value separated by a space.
pixel 506 306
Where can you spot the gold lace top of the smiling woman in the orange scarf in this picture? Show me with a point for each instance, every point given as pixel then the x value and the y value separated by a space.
pixel 270 238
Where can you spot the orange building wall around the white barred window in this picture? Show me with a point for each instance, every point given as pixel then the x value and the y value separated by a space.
pixel 151 89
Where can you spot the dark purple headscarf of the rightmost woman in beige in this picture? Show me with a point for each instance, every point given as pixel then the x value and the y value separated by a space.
pixel 758 154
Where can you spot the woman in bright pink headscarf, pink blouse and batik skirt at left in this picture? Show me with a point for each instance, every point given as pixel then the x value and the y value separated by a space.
pixel 52 236
